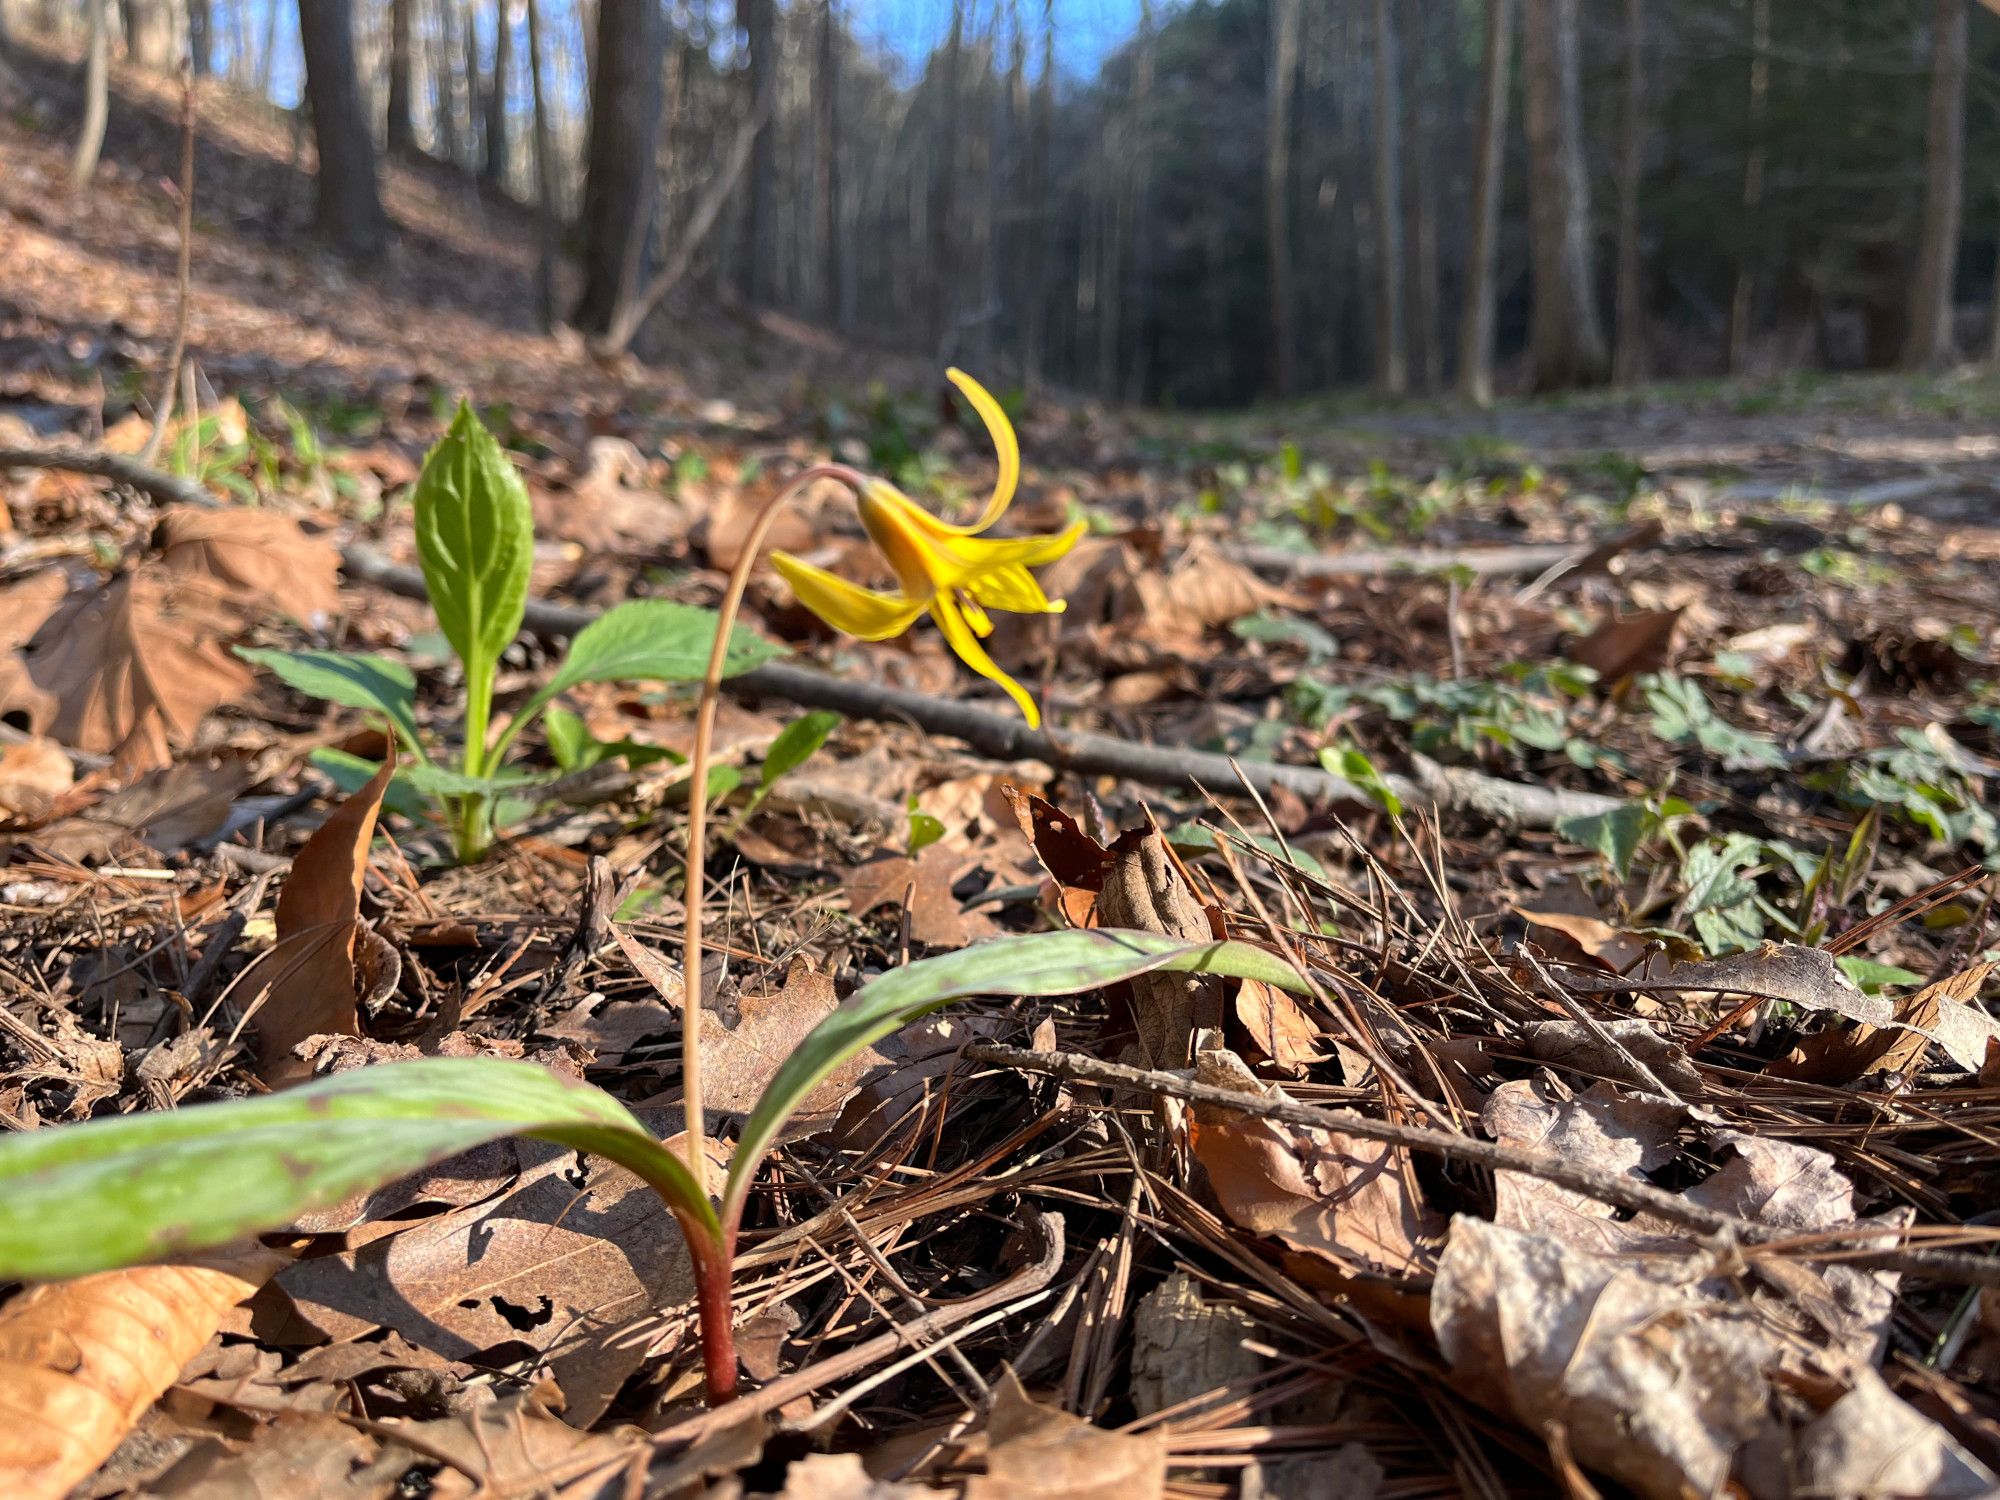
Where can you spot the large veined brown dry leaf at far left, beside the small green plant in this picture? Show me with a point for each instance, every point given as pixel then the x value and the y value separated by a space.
pixel 133 667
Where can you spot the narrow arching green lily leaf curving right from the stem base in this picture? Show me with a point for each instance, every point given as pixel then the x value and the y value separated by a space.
pixel 1031 965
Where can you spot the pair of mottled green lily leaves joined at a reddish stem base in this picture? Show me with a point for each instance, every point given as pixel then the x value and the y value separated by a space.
pixel 147 1187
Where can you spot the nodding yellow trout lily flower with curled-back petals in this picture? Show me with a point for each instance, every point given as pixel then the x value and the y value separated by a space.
pixel 955 573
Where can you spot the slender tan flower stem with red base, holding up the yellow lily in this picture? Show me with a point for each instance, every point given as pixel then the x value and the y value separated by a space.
pixel 719 1343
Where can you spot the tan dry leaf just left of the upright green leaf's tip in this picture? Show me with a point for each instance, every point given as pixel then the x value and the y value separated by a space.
pixel 259 557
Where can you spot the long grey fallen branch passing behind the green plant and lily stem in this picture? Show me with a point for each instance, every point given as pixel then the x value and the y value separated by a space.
pixel 999 737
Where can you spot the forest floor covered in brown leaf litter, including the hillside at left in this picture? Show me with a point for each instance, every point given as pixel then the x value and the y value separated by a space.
pixel 1655 839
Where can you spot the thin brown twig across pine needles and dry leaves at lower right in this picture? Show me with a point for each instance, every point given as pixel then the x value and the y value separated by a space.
pixel 1639 1197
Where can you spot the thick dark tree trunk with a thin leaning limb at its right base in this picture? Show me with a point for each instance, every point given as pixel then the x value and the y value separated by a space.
pixel 621 181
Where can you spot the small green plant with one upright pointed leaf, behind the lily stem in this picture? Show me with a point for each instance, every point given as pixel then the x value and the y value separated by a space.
pixel 475 539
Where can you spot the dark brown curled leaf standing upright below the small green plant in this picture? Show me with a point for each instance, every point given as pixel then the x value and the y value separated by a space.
pixel 311 975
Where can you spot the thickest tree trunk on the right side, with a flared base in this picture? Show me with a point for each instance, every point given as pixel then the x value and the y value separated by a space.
pixel 1567 337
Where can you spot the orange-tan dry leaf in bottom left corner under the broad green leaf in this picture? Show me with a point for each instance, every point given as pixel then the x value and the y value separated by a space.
pixel 81 1361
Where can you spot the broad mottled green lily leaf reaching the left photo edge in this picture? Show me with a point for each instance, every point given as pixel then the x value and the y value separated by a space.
pixel 141 1187
